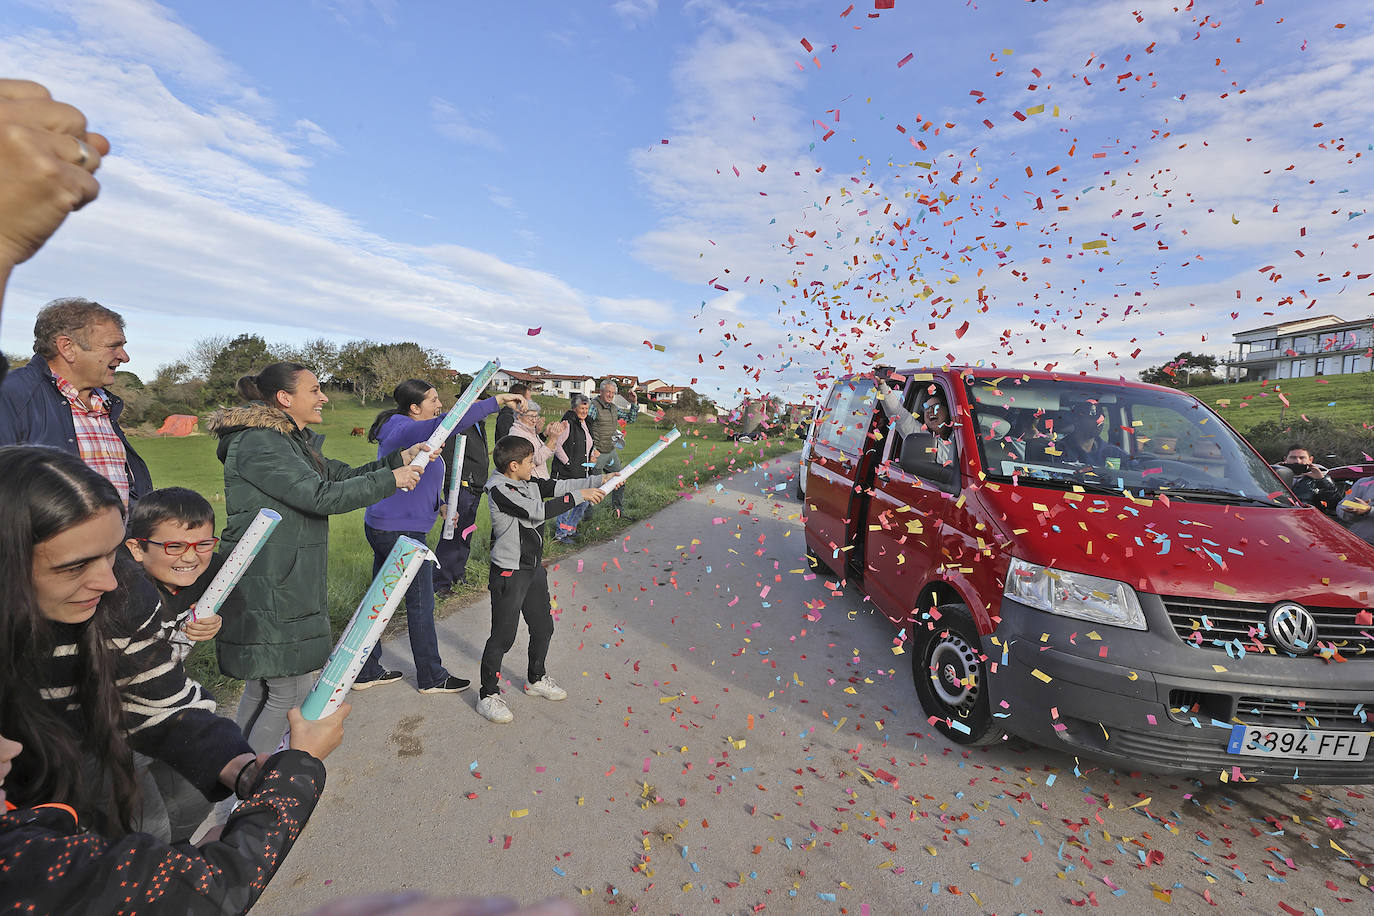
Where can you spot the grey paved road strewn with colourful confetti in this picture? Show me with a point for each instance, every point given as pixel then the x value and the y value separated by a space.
pixel 721 752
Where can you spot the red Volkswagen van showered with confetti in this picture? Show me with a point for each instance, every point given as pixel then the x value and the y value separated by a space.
pixel 1100 566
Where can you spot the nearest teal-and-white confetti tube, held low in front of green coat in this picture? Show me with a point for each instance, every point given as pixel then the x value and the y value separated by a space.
pixel 372 617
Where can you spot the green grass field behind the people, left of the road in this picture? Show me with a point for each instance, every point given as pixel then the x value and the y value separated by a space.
pixel 703 454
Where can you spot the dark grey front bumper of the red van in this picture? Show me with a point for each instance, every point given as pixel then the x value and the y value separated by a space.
pixel 1107 693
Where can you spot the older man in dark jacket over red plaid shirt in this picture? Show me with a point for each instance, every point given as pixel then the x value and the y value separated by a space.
pixel 60 398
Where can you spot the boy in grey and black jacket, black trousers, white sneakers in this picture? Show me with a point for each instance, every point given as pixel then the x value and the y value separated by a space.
pixel 519 582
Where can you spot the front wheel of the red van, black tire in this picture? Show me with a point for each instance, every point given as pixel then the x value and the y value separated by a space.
pixel 951 678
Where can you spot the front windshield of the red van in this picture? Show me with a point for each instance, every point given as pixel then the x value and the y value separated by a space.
pixel 1116 439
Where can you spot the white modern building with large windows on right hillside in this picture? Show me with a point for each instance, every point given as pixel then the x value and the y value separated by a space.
pixel 1300 350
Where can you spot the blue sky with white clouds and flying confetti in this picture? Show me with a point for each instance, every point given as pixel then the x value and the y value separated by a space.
pixel 740 197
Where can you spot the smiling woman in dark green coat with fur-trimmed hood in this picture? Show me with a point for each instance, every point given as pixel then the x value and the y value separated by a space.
pixel 273 461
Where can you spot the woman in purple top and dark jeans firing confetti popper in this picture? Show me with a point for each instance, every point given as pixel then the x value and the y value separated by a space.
pixel 413 513
